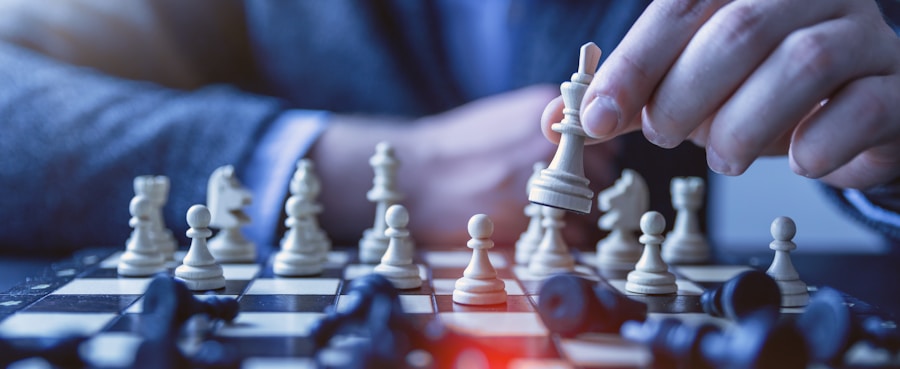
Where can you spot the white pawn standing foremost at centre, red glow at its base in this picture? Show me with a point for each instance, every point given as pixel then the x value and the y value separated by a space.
pixel 479 284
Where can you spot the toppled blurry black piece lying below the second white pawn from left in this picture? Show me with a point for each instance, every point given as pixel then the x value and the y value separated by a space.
pixel 168 303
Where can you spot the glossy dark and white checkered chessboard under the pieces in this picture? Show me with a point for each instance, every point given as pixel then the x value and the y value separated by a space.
pixel 85 297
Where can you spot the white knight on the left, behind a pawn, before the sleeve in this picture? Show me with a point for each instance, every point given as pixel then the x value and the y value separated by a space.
pixel 226 198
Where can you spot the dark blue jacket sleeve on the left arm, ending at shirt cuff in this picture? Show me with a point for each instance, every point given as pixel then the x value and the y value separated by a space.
pixel 74 139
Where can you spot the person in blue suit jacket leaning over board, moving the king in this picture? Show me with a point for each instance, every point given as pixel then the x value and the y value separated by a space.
pixel 96 93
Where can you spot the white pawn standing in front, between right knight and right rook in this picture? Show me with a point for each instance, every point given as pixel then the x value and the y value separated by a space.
pixel 651 275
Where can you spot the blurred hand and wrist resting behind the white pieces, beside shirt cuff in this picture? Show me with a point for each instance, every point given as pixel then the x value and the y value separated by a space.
pixel 476 158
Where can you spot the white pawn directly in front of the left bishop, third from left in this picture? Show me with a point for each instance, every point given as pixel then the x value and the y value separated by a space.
pixel 301 254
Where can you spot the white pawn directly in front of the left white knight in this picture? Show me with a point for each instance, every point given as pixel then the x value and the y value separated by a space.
pixel 199 270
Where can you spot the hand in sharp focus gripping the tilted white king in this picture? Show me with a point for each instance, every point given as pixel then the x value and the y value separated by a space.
pixel 749 78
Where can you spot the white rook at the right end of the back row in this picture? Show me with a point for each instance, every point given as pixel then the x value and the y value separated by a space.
pixel 685 244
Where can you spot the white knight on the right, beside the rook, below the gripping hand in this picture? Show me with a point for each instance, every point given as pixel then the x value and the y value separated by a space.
pixel 624 203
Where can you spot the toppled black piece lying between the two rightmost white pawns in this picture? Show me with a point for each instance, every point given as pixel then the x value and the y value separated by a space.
pixel 742 295
